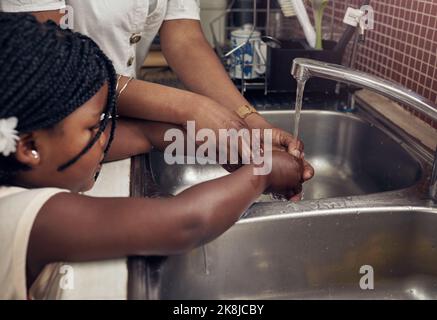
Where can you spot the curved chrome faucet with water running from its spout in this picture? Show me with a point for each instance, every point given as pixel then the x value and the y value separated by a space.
pixel 303 69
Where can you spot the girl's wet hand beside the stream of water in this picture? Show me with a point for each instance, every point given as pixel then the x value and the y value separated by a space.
pixel 287 173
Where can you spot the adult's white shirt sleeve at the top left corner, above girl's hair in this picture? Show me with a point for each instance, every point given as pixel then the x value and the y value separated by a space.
pixel 31 5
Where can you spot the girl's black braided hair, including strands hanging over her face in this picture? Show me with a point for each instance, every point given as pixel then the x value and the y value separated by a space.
pixel 46 74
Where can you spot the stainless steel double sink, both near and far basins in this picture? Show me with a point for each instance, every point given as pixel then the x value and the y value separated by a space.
pixel 364 207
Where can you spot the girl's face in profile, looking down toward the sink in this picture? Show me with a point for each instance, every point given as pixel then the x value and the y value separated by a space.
pixel 59 145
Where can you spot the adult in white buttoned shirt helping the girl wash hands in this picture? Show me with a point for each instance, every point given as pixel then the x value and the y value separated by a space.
pixel 125 31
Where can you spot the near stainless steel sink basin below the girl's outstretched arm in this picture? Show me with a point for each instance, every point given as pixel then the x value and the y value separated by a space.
pixel 312 255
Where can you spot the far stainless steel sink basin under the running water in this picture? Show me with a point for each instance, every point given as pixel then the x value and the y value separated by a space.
pixel 350 156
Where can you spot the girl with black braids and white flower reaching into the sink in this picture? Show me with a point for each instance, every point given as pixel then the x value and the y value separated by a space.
pixel 57 125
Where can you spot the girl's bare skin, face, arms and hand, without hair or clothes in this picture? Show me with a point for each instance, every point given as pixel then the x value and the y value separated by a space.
pixel 73 227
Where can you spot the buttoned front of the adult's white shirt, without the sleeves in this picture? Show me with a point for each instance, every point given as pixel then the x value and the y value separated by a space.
pixel 123 29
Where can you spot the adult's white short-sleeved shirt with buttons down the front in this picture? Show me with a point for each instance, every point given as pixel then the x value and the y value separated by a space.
pixel 116 25
